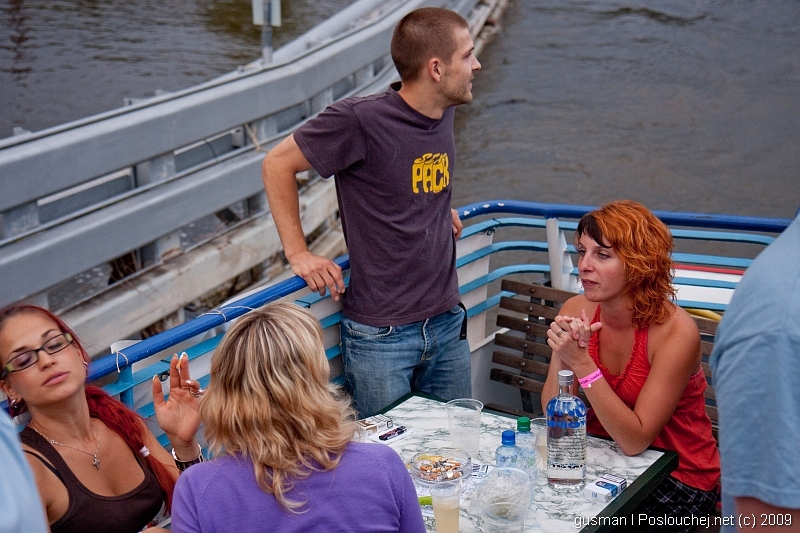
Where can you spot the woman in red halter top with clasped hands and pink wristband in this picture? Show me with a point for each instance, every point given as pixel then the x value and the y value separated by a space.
pixel 638 356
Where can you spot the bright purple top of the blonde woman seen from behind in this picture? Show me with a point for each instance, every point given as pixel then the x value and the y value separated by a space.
pixel 370 490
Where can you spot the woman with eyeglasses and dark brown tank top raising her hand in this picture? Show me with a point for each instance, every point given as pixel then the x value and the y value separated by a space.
pixel 97 466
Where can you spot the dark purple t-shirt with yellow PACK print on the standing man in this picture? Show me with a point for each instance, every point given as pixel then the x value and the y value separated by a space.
pixel 393 168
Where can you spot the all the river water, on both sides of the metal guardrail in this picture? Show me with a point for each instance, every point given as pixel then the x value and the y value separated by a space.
pixel 689 106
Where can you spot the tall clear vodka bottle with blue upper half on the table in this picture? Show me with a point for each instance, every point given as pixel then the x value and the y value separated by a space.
pixel 566 437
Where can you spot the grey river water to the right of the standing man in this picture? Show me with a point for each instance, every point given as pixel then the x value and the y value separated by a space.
pixel 686 106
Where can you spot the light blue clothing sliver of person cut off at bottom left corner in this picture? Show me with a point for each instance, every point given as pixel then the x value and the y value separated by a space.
pixel 20 506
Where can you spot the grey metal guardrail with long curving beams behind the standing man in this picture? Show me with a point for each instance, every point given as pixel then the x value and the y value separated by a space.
pixel 82 194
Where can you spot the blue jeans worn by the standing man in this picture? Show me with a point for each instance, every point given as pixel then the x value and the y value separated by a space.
pixel 383 364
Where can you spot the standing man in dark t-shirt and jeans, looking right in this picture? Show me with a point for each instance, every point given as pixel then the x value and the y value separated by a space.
pixel 393 157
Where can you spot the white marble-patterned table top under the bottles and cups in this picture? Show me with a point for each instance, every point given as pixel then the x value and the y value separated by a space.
pixel 551 511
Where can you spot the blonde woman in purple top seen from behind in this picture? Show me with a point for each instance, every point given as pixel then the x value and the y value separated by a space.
pixel 289 463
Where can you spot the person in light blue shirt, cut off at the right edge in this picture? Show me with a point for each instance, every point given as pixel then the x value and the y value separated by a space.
pixel 755 364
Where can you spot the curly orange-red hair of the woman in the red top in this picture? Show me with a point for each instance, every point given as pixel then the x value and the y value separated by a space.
pixel 644 244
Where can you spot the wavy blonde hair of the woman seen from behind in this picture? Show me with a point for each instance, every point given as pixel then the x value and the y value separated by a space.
pixel 270 399
